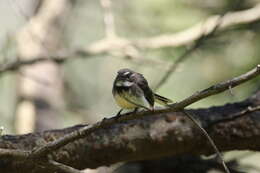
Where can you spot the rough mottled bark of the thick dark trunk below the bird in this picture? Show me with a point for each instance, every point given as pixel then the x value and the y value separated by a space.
pixel 233 126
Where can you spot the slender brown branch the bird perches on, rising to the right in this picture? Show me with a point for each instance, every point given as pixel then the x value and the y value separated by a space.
pixel 41 151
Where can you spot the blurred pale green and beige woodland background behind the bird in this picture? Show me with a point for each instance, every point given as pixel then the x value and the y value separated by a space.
pixel 116 34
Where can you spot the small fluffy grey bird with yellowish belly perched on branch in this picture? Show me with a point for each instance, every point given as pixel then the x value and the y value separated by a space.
pixel 131 91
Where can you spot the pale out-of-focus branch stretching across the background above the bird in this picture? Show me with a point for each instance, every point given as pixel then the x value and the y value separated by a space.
pixel 106 46
